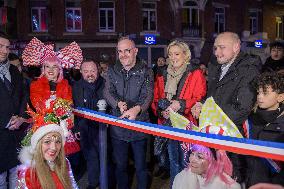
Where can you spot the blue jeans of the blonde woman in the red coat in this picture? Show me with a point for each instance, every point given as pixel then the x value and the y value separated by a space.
pixel 176 156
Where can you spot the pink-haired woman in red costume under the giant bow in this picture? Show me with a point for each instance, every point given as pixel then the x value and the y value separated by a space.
pixel 49 86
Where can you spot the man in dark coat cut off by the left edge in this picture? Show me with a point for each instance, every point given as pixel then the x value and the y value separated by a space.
pixel 13 102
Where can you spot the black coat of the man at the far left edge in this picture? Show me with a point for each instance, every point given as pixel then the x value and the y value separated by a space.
pixel 13 103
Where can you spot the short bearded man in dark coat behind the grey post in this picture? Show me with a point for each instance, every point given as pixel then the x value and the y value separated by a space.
pixel 86 93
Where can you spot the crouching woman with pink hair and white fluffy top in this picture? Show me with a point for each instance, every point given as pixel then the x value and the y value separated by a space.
pixel 207 169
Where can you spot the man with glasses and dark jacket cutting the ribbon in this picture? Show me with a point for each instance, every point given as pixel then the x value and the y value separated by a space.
pixel 128 90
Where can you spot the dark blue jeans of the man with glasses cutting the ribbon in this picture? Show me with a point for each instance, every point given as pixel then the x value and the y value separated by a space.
pixel 120 154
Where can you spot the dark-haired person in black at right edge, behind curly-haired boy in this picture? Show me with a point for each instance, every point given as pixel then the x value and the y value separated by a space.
pixel 276 60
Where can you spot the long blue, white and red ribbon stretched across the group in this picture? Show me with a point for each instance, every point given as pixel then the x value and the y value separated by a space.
pixel 244 146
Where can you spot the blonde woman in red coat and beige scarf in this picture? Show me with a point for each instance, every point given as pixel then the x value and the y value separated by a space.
pixel 177 88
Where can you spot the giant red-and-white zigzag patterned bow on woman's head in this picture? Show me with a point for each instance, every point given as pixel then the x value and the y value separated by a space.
pixel 36 52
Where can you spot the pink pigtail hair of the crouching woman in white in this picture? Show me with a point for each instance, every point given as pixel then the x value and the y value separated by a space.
pixel 218 166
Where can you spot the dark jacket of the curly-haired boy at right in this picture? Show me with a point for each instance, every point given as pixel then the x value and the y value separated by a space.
pixel 266 125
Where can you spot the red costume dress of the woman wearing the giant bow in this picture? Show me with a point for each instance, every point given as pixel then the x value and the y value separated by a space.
pixel 40 93
